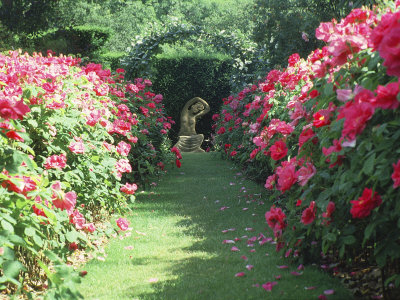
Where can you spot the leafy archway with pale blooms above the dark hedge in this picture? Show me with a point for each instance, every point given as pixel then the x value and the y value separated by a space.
pixel 242 51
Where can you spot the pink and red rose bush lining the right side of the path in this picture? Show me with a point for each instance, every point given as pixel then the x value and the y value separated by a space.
pixel 323 134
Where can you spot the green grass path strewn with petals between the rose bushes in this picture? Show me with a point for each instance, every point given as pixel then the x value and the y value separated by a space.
pixel 176 249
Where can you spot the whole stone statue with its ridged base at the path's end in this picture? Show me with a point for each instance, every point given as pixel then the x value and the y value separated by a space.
pixel 189 140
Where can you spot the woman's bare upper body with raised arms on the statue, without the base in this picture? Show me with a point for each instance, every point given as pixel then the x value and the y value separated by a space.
pixel 193 110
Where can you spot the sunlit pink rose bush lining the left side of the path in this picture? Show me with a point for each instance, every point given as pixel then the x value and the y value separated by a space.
pixel 75 143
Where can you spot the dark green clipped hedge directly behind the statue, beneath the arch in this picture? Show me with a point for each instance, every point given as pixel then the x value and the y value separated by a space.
pixel 180 79
